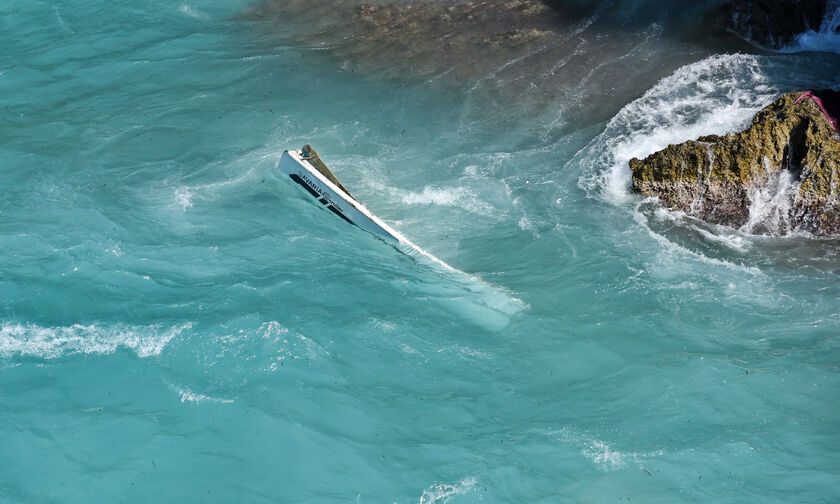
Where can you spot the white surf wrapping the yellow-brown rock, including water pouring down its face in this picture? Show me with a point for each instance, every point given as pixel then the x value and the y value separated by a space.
pixel 718 95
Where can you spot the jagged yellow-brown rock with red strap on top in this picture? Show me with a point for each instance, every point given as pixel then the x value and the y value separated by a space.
pixel 782 174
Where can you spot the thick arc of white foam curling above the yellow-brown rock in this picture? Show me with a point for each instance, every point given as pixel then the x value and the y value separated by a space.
pixel 718 94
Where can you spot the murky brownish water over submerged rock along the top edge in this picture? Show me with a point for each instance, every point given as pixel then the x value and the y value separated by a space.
pixel 517 58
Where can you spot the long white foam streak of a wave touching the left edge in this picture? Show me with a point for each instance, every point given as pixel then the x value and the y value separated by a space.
pixel 53 342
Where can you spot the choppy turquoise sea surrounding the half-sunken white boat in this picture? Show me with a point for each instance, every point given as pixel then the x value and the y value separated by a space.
pixel 180 323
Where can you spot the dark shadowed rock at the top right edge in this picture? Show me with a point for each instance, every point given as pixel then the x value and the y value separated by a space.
pixel 772 23
